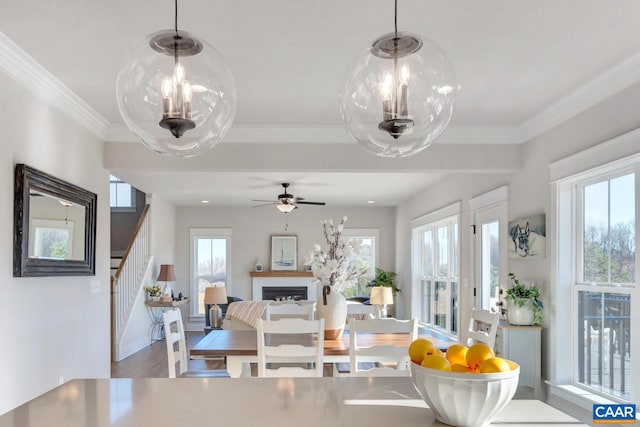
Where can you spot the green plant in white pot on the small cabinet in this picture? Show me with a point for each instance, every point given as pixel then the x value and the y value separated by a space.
pixel 523 305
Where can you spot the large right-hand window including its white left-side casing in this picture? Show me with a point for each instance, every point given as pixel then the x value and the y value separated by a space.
pixel 603 239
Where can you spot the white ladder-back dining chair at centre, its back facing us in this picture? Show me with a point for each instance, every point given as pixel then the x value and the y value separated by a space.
pixel 281 355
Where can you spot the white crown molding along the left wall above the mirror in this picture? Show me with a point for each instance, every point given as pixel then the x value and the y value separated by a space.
pixel 25 70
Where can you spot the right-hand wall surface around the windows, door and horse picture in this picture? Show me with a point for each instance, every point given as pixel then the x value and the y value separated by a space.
pixel 529 193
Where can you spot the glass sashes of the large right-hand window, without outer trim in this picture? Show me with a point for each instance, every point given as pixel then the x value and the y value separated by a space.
pixel 605 244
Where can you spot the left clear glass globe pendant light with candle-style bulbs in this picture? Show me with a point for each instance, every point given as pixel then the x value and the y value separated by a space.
pixel 176 94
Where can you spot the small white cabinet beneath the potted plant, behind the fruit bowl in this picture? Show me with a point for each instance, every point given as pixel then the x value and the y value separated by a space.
pixel 522 344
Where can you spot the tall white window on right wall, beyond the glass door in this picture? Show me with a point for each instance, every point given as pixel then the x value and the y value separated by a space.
pixel 436 271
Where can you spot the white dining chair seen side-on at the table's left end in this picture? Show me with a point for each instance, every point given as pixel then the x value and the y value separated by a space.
pixel 177 349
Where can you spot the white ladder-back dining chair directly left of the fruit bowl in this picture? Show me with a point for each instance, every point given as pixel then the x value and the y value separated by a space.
pixel 387 360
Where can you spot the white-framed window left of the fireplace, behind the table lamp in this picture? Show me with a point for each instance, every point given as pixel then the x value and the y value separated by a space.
pixel 210 263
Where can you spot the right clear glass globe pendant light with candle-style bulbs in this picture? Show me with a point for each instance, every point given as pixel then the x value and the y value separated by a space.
pixel 398 94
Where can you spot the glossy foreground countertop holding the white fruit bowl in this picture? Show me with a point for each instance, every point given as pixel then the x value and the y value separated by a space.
pixel 283 402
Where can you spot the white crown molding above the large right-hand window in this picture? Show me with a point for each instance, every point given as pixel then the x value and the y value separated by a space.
pixel 596 90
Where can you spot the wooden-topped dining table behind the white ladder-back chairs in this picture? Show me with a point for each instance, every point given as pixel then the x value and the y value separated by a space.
pixel 240 347
